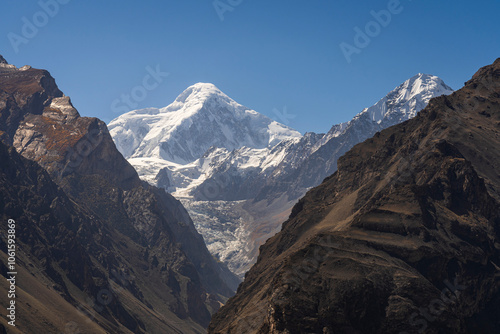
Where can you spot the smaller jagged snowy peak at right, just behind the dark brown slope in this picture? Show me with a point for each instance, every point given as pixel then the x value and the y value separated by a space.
pixel 405 101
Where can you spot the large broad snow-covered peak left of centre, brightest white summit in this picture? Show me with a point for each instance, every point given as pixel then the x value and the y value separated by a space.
pixel 200 117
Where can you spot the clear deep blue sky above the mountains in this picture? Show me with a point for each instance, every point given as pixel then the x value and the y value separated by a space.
pixel 280 58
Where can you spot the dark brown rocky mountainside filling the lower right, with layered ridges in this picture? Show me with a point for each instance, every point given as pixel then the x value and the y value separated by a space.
pixel 402 238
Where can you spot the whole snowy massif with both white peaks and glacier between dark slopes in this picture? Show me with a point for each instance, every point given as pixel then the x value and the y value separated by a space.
pixel 239 173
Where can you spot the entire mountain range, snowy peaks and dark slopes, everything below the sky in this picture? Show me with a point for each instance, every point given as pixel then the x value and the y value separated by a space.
pixel 391 220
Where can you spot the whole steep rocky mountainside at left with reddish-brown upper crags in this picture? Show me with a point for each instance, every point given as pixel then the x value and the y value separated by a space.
pixel 95 237
